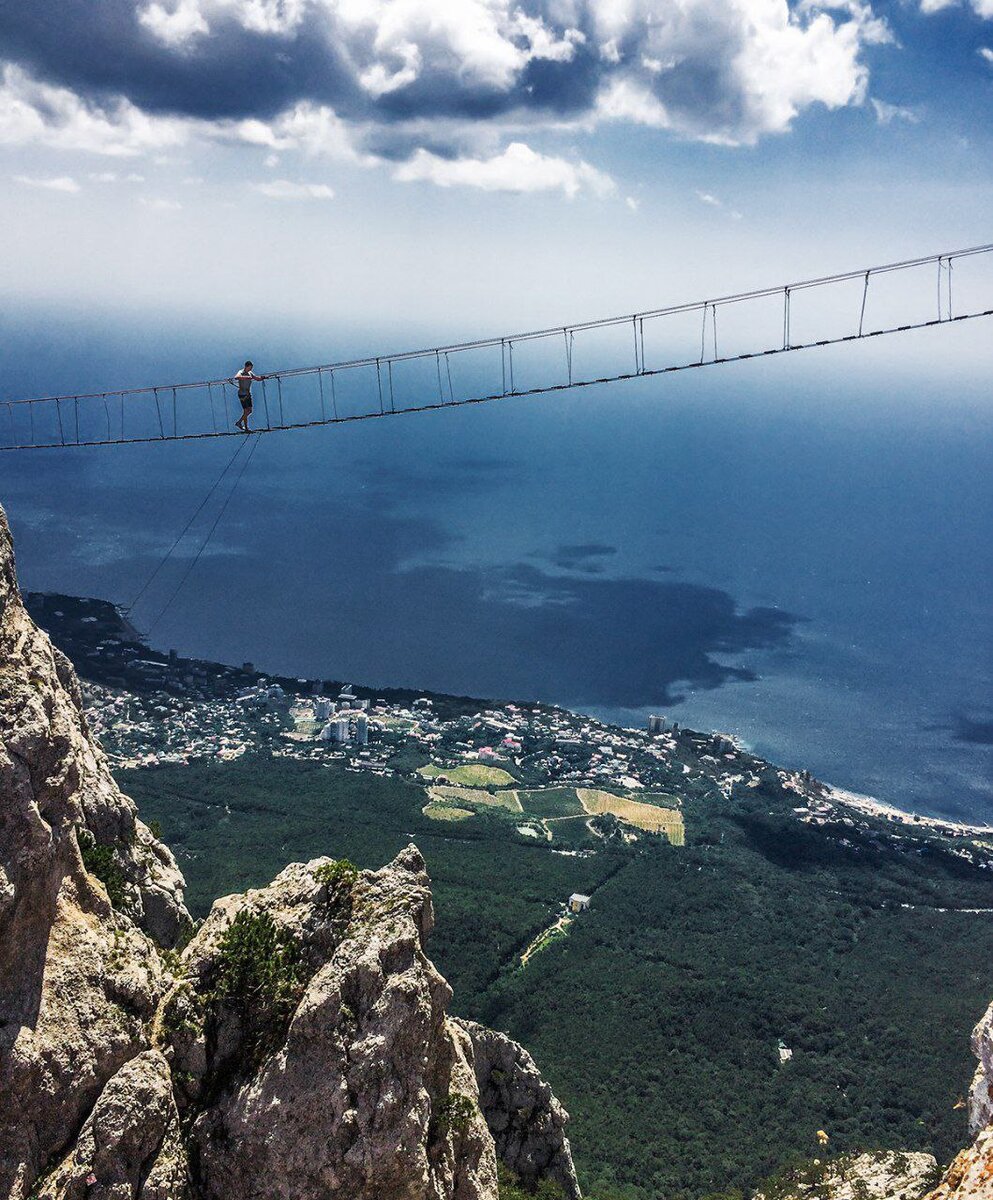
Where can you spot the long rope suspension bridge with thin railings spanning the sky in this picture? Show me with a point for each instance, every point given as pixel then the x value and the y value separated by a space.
pixel 937 290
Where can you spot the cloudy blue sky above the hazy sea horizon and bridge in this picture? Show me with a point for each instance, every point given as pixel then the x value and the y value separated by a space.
pixel 443 167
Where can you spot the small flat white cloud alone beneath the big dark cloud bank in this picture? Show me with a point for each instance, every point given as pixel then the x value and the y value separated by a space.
pixel 517 170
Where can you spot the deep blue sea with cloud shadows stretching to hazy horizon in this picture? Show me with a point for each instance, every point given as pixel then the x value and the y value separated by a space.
pixel 798 553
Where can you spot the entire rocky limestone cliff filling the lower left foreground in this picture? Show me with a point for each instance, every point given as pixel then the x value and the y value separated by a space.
pixel 298 1047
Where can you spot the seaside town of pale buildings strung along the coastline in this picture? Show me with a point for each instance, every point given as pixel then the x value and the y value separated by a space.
pixel 152 710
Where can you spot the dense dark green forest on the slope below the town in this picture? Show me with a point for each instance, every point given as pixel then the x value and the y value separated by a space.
pixel 659 1018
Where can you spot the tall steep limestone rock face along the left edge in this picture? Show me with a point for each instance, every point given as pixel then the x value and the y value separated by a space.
pixel 80 977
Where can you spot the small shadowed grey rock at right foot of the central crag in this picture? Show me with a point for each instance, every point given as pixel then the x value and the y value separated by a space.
pixel 527 1123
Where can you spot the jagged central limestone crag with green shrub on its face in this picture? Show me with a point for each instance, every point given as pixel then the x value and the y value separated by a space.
pixel 359 1085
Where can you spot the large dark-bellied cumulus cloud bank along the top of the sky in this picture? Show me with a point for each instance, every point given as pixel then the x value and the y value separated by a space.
pixel 441 89
